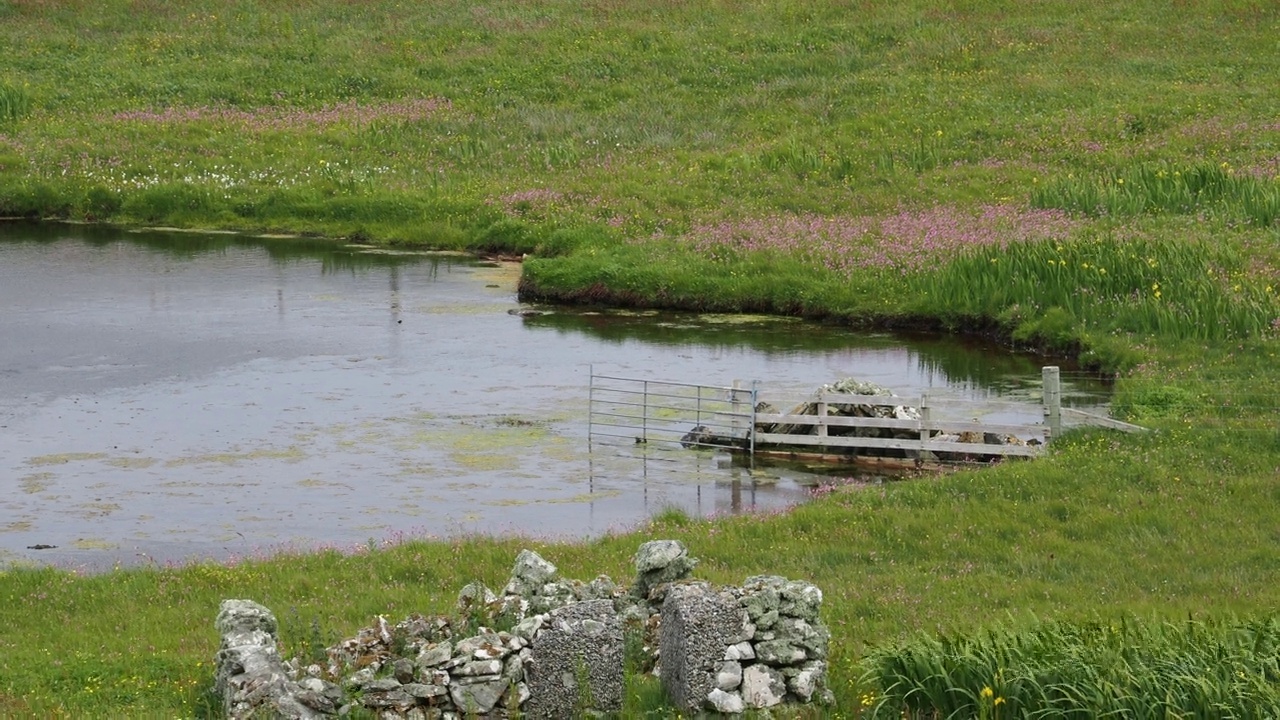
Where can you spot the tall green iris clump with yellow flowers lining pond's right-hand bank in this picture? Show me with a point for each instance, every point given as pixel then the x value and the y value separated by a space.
pixel 1109 282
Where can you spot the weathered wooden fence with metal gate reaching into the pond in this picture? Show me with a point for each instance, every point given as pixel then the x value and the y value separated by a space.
pixel 856 425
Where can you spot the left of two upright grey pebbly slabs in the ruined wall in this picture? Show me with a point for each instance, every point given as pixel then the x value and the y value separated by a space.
pixel 579 644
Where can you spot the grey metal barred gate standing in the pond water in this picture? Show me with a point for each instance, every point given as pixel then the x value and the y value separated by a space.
pixel 648 412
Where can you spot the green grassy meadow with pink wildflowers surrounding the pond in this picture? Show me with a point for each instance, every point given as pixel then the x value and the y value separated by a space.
pixel 1100 180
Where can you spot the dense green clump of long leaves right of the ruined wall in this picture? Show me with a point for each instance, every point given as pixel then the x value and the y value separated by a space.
pixel 1126 669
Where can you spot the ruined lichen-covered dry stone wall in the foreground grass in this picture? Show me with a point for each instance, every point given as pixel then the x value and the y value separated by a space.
pixel 561 653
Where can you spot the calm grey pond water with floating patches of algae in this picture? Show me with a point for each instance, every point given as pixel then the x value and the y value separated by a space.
pixel 168 397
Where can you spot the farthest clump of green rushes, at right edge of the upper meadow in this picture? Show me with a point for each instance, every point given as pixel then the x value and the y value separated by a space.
pixel 1205 189
